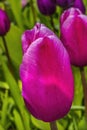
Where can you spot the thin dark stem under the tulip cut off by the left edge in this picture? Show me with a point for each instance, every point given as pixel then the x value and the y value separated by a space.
pixel 7 54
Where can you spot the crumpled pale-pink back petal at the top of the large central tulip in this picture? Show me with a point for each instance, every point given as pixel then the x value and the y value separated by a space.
pixel 29 36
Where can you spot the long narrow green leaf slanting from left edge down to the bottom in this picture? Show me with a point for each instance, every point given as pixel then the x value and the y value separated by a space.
pixel 15 91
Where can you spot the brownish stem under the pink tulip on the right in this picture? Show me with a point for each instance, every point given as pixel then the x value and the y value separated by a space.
pixel 84 83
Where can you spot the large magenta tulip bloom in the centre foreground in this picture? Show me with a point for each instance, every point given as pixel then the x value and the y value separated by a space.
pixel 46 74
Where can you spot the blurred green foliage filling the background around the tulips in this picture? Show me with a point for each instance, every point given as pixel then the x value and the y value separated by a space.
pixel 13 114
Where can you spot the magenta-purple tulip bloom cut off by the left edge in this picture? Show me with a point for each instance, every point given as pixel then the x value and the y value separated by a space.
pixel 4 23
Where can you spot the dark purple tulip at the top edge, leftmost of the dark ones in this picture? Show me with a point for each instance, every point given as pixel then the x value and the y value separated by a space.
pixel 46 7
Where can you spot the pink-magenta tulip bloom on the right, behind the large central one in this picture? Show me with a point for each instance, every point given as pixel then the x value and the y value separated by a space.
pixel 74 35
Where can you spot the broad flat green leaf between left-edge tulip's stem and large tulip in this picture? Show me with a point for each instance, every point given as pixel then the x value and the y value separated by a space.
pixel 13 40
